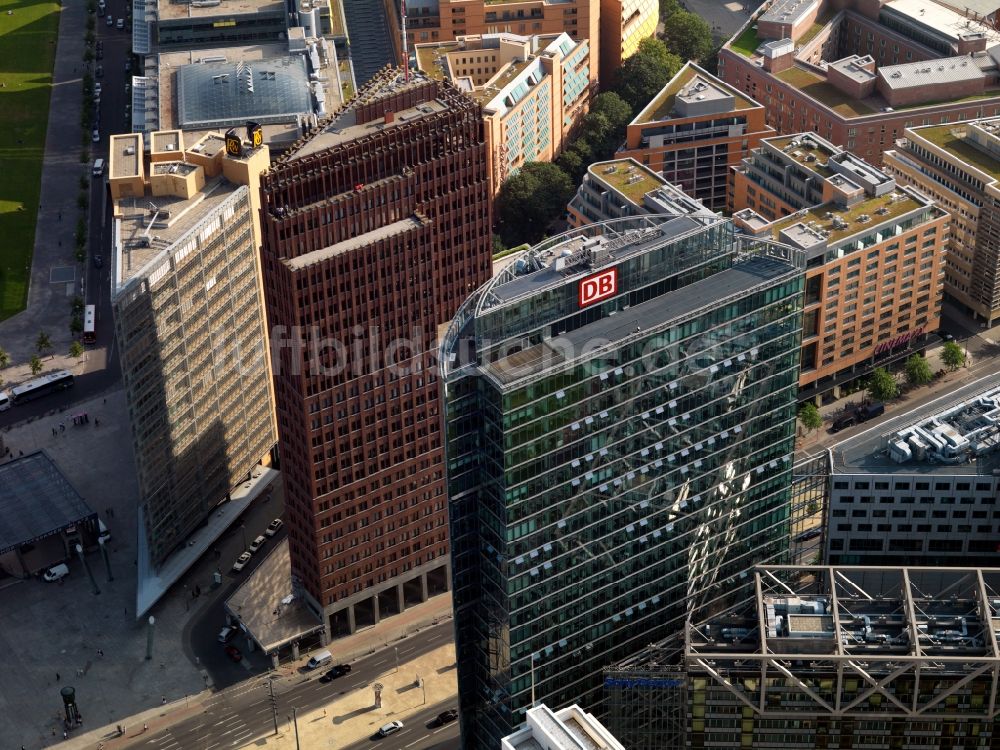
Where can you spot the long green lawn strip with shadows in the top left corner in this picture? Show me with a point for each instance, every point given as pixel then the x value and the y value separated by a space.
pixel 27 49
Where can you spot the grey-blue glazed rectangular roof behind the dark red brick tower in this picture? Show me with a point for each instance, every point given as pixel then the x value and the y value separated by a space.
pixel 216 95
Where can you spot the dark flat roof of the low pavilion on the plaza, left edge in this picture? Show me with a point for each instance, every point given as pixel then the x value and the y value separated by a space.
pixel 36 501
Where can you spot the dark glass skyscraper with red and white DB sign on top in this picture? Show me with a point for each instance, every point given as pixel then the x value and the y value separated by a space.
pixel 620 414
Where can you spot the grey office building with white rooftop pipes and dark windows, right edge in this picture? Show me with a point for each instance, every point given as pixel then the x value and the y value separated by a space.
pixel 921 487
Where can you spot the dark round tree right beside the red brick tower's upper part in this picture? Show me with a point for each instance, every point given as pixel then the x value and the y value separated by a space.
pixel 530 199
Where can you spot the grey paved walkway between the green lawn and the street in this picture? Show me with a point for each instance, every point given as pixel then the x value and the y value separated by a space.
pixel 48 306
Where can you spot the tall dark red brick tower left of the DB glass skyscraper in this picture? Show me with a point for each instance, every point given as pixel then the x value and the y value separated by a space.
pixel 376 226
